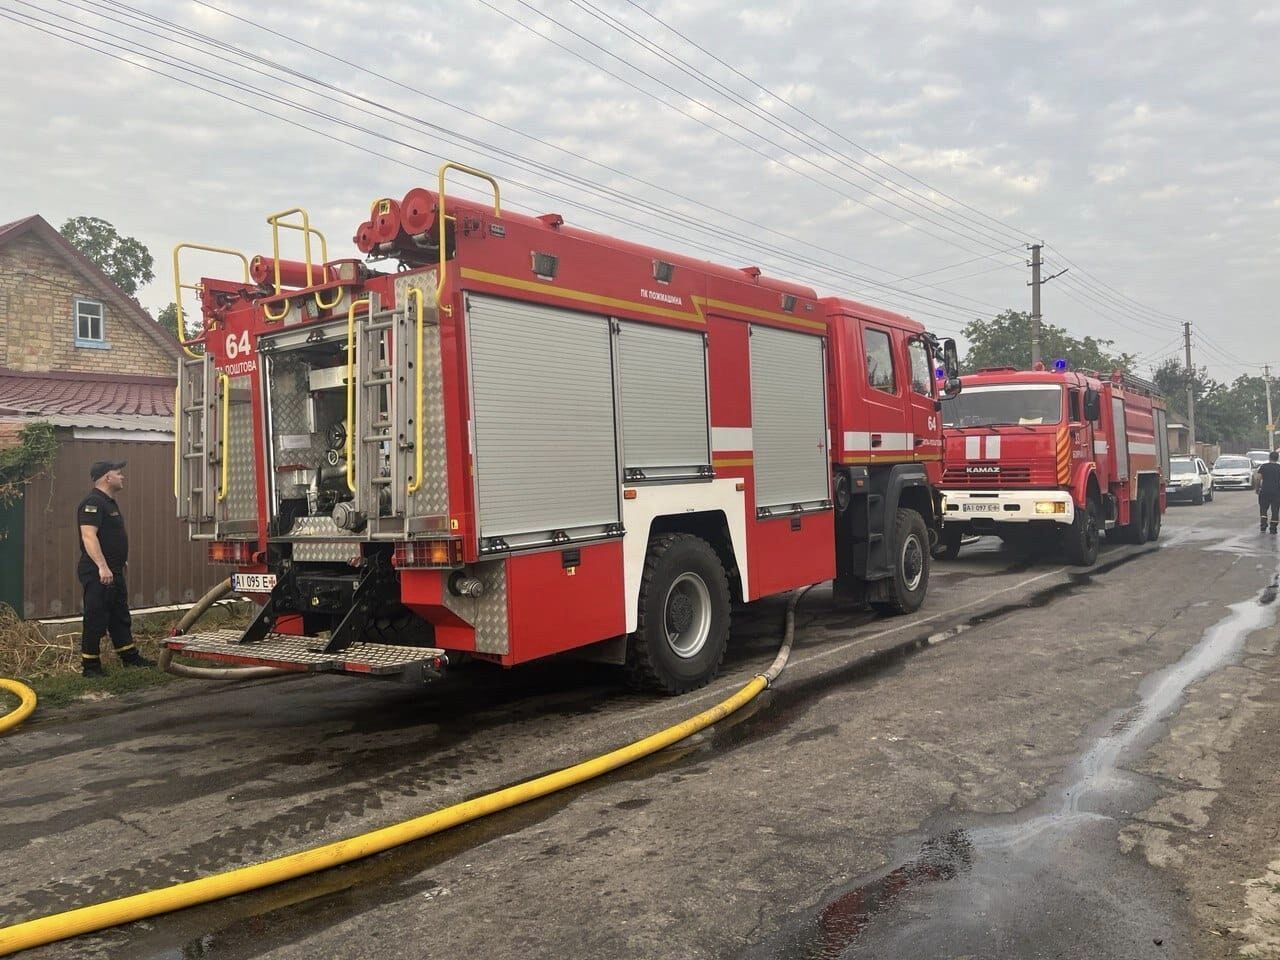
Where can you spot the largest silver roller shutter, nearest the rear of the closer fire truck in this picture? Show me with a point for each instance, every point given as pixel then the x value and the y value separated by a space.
pixel 542 387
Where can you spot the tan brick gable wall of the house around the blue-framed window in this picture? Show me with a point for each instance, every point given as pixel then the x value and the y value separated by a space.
pixel 39 289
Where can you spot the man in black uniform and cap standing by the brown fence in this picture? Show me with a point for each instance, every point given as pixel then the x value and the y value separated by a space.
pixel 103 566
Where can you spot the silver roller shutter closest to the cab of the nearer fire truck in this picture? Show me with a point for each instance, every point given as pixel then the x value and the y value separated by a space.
pixel 789 418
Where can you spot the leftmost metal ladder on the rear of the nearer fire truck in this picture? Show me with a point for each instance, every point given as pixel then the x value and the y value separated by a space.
pixel 196 446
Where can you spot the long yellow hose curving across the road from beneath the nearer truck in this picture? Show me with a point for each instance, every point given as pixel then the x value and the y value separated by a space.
pixel 86 920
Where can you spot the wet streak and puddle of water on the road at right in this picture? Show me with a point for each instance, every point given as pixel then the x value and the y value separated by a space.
pixel 1049 883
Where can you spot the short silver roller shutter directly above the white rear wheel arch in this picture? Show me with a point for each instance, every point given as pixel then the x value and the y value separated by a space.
pixel 664 392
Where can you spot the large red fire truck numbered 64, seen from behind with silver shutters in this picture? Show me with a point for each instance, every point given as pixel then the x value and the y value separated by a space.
pixel 520 440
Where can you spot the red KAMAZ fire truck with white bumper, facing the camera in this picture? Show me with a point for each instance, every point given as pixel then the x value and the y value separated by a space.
pixel 1058 454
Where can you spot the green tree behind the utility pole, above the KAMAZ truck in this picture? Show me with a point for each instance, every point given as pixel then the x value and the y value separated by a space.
pixel 1007 341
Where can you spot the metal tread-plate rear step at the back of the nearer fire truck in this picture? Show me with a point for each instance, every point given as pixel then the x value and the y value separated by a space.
pixel 307 655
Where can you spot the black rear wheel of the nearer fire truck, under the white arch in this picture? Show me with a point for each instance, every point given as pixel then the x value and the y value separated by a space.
pixel 684 582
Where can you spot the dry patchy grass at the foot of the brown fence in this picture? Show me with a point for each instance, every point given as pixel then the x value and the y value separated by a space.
pixel 53 668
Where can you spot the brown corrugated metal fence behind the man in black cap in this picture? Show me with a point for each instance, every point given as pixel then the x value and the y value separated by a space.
pixel 164 566
